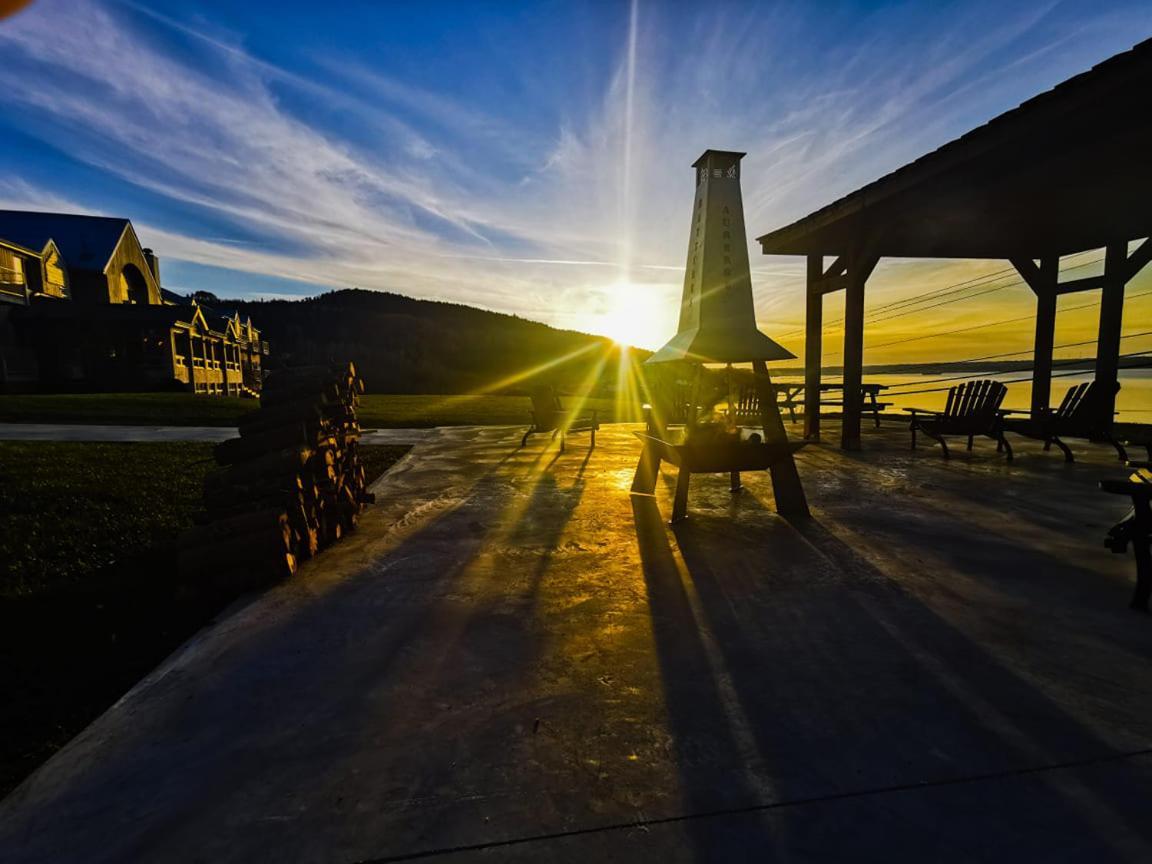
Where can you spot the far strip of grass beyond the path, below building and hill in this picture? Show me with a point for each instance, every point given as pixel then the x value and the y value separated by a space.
pixel 184 410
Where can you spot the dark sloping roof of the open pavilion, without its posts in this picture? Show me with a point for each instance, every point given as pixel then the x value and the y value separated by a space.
pixel 1063 172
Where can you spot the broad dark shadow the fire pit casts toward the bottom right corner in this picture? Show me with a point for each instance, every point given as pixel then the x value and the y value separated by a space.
pixel 848 685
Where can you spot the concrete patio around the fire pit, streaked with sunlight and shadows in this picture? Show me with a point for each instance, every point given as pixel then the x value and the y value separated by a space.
pixel 517 661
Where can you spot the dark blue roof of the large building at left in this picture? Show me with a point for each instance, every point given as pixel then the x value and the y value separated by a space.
pixel 85 242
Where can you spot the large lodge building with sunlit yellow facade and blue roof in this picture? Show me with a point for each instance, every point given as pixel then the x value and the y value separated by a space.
pixel 82 309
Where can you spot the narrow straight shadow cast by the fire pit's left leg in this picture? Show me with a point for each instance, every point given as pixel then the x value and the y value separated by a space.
pixel 711 763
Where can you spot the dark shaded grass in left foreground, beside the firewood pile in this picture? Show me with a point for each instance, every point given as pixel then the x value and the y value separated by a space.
pixel 89 602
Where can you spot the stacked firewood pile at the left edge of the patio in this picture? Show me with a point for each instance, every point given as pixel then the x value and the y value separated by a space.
pixel 292 484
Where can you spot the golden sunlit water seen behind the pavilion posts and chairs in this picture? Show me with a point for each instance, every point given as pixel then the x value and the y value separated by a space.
pixel 1134 404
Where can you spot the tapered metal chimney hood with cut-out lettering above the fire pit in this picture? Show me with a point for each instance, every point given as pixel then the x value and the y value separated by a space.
pixel 717 315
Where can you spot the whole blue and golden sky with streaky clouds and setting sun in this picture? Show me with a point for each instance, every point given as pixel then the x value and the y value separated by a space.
pixel 528 158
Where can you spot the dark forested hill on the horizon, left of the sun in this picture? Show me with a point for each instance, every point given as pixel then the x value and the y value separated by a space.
pixel 403 345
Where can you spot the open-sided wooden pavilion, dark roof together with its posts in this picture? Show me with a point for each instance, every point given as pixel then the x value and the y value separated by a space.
pixel 1064 173
